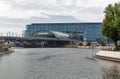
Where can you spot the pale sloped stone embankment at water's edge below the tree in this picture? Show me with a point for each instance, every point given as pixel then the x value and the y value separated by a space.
pixel 109 55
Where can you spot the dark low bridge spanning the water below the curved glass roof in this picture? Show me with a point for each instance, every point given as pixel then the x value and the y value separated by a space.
pixel 30 42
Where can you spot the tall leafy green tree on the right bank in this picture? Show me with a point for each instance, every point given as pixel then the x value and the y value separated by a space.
pixel 111 23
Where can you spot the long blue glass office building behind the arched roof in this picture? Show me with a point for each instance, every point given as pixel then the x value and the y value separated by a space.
pixel 78 31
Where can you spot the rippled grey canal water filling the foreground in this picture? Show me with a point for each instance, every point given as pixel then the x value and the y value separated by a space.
pixel 56 63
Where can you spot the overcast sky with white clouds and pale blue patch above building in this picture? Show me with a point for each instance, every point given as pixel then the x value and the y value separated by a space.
pixel 16 14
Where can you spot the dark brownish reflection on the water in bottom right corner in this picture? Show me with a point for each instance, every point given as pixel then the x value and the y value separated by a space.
pixel 111 73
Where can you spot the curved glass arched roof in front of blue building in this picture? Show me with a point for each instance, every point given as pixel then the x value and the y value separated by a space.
pixel 50 34
